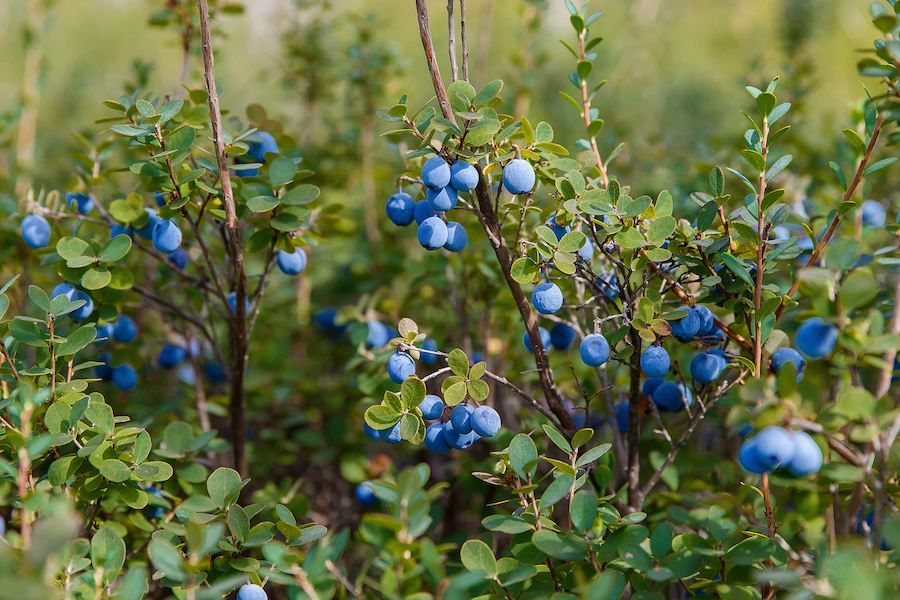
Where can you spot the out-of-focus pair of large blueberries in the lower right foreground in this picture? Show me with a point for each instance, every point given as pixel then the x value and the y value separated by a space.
pixel 777 447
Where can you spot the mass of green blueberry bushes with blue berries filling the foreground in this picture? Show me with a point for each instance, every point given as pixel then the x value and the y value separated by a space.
pixel 569 383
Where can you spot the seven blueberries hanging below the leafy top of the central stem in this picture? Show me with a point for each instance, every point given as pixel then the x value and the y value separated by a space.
pixel 443 184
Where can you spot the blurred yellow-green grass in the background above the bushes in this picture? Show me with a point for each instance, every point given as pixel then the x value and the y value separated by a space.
pixel 676 71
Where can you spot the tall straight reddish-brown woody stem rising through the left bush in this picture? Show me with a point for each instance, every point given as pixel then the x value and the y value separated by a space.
pixel 238 323
